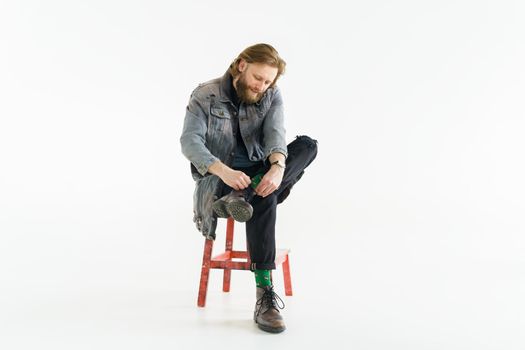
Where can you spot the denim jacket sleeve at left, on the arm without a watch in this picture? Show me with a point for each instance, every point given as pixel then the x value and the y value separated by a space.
pixel 193 138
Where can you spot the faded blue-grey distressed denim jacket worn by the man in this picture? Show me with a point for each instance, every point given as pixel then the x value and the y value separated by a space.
pixel 208 135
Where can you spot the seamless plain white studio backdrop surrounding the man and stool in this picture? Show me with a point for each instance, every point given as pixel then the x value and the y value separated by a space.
pixel 407 232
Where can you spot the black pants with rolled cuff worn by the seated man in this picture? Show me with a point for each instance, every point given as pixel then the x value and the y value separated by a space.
pixel 260 229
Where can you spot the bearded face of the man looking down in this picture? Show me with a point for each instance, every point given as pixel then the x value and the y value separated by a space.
pixel 254 80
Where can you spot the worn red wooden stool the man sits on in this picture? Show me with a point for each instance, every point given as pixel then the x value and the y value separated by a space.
pixel 224 261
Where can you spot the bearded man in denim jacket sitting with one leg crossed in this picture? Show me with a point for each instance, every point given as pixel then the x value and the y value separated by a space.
pixel 234 137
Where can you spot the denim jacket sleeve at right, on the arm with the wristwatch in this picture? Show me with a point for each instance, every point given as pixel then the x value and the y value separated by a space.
pixel 273 128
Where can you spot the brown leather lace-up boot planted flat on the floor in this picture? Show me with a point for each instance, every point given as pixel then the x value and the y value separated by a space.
pixel 266 314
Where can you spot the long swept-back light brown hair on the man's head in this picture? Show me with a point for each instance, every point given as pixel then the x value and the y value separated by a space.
pixel 259 53
